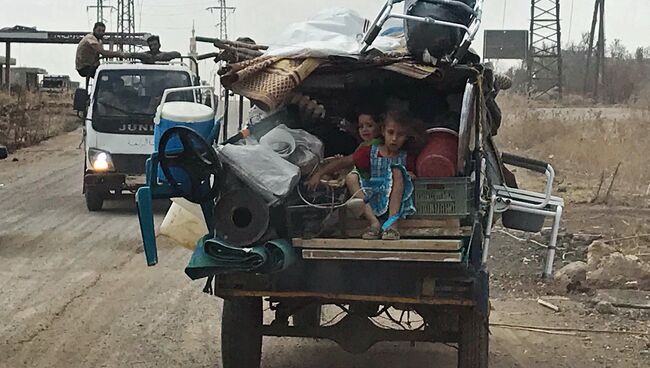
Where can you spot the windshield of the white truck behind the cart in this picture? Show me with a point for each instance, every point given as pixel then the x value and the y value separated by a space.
pixel 137 92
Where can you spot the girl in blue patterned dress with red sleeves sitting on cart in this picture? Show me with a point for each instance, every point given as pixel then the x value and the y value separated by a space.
pixel 388 168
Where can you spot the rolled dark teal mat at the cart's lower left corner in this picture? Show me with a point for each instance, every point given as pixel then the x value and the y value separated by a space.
pixel 215 256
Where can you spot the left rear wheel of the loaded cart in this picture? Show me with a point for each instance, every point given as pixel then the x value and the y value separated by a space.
pixel 241 333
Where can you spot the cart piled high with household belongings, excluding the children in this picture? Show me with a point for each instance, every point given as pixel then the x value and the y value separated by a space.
pixel 273 244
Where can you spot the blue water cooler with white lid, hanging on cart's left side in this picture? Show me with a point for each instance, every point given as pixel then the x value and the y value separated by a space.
pixel 193 115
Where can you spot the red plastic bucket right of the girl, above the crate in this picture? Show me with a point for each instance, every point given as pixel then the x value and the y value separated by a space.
pixel 439 157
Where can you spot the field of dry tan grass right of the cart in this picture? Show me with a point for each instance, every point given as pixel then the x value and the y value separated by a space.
pixel 583 143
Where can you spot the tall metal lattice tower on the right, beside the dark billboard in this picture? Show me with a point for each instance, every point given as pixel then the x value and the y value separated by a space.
pixel 545 71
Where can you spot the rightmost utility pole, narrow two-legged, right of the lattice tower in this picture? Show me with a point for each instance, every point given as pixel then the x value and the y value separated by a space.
pixel 598 52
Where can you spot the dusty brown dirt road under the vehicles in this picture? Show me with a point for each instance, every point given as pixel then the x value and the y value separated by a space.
pixel 75 292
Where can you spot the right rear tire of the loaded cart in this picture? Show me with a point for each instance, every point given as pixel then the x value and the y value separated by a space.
pixel 473 347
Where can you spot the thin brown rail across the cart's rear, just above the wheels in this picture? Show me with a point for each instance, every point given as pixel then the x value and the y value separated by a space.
pixel 345 297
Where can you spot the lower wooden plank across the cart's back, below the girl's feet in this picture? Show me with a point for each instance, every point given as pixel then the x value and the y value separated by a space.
pixel 365 255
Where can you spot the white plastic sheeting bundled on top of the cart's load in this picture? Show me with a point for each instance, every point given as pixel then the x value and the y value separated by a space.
pixel 331 32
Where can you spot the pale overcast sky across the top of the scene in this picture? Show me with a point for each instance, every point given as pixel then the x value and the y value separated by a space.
pixel 628 20
